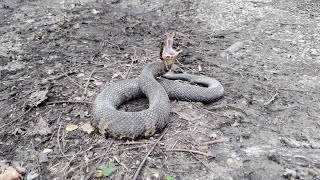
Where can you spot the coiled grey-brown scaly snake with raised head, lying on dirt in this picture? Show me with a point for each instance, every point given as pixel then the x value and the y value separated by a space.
pixel 159 87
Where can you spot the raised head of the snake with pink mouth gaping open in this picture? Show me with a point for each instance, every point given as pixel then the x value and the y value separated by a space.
pixel 167 54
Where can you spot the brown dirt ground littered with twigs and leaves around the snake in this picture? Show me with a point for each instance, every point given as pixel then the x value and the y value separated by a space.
pixel 56 56
